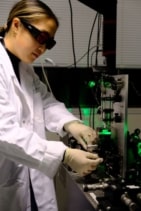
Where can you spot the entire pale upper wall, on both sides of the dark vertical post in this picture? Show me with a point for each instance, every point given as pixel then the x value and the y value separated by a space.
pixel 128 32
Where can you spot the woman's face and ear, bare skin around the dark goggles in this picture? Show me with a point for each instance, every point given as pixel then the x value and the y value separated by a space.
pixel 22 44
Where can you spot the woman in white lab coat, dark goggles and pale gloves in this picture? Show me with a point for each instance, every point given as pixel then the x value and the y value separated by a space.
pixel 28 162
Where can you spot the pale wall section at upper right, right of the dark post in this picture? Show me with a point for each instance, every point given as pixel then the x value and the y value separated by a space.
pixel 128 53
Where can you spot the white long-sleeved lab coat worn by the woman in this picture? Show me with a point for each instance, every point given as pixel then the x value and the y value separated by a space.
pixel 25 110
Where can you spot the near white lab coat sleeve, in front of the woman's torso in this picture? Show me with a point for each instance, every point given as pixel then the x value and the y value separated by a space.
pixel 21 145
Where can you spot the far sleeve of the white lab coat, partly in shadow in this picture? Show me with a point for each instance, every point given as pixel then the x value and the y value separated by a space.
pixel 55 112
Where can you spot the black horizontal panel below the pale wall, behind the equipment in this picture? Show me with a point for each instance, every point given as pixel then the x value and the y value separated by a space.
pixel 70 85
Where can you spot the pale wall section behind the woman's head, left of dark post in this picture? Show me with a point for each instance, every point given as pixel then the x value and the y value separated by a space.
pixel 83 18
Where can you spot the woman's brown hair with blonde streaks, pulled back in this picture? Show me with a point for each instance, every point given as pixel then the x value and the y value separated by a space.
pixel 30 10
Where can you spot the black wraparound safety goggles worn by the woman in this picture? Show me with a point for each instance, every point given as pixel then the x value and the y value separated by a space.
pixel 41 37
